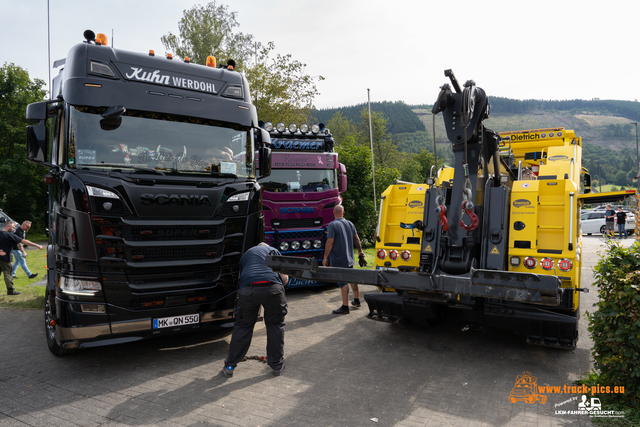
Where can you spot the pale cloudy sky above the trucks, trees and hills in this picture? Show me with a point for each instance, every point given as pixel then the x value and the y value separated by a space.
pixel 398 49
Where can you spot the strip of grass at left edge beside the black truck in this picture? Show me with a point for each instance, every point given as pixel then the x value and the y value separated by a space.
pixel 32 296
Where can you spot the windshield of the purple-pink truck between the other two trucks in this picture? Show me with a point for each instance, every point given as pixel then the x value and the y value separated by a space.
pixel 303 180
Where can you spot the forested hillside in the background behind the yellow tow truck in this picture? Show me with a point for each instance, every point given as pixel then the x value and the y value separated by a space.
pixel 609 138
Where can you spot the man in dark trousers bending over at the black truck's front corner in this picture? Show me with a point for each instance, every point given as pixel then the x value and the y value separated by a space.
pixel 258 285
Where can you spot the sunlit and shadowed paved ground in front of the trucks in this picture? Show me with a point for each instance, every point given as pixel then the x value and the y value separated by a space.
pixel 341 370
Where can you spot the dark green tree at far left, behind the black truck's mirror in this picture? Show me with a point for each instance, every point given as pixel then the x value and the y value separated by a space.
pixel 22 191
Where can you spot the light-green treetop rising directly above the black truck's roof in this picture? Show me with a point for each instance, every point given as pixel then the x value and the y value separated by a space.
pixel 210 31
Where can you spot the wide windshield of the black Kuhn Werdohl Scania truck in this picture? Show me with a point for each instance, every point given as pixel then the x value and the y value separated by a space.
pixel 162 142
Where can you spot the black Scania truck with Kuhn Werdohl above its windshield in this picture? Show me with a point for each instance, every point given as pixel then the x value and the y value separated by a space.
pixel 153 194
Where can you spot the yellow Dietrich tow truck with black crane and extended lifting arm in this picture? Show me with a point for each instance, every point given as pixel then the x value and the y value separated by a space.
pixel 490 241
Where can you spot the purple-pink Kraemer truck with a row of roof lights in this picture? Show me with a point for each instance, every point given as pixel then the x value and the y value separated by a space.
pixel 299 195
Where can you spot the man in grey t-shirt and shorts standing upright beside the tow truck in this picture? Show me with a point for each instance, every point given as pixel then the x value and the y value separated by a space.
pixel 341 236
